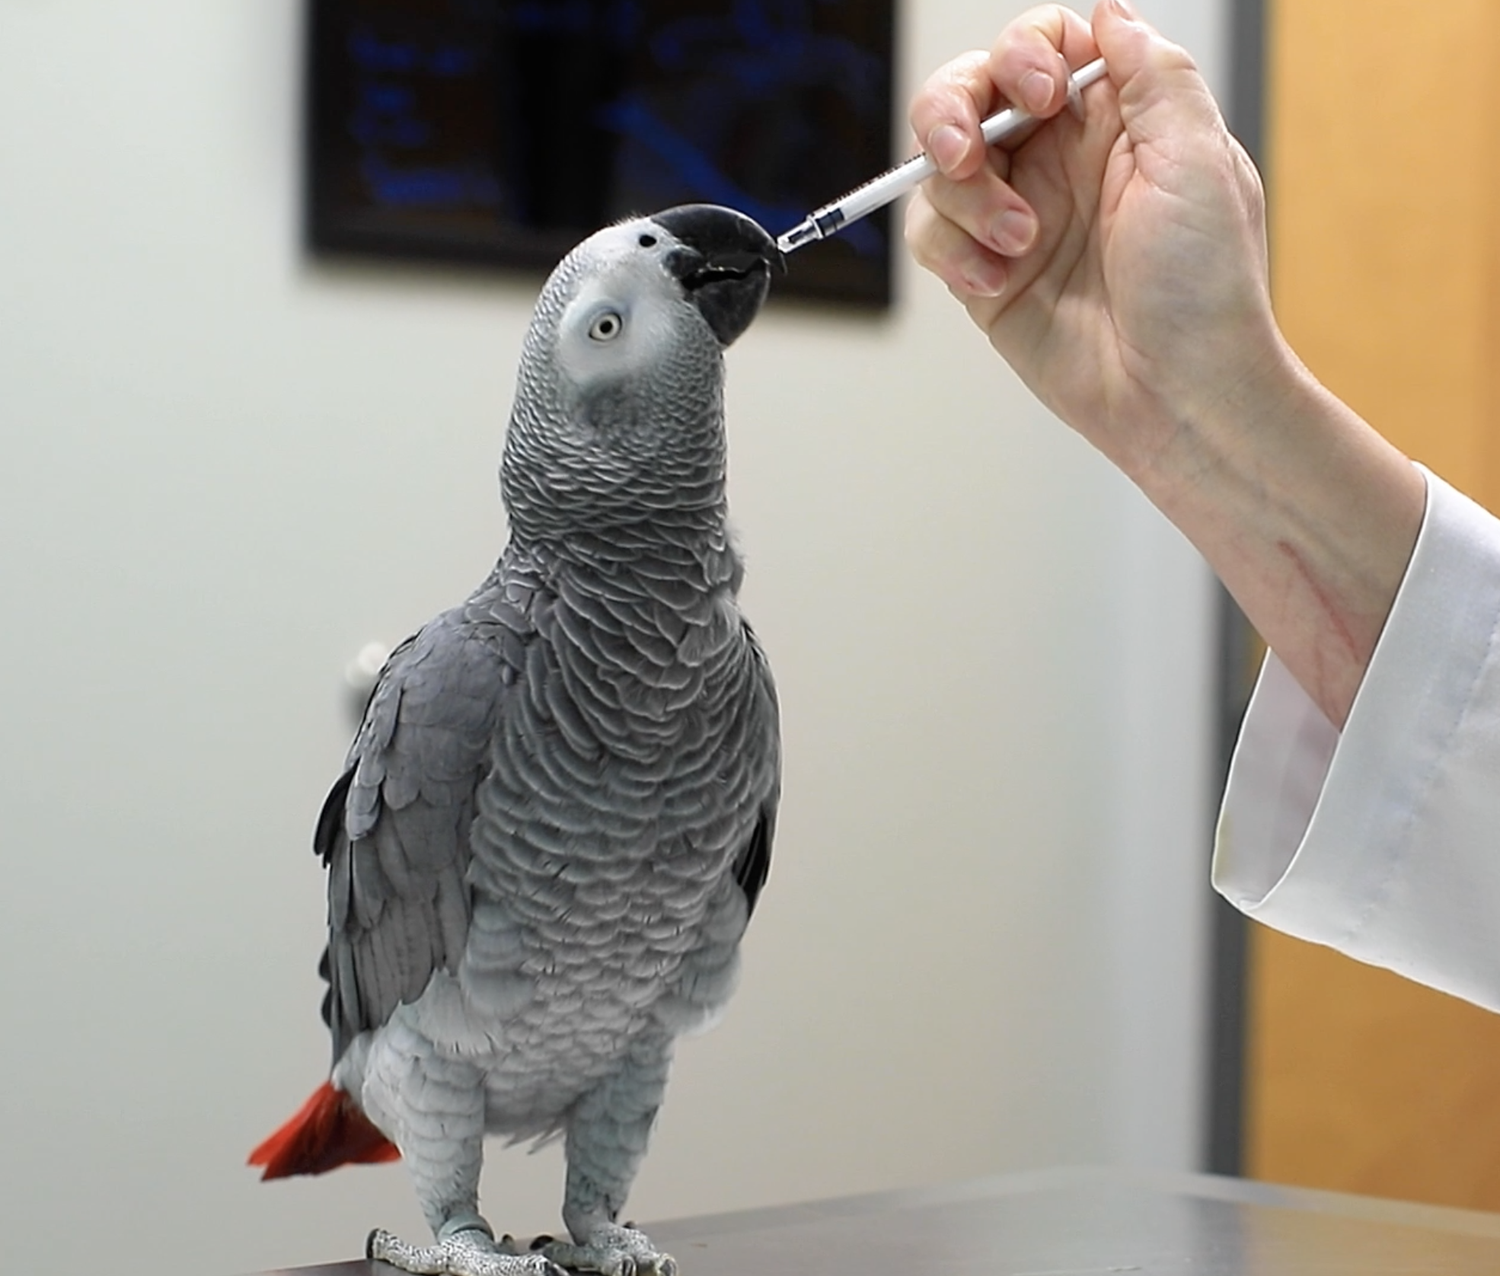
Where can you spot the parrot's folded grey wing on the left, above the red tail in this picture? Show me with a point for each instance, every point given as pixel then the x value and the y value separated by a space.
pixel 395 828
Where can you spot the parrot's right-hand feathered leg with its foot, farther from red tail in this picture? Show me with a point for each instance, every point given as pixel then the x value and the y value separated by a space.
pixel 607 1142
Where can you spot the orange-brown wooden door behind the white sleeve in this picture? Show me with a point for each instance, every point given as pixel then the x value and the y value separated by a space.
pixel 1384 158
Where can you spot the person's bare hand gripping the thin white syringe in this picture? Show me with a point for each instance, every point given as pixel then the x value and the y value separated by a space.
pixel 1120 263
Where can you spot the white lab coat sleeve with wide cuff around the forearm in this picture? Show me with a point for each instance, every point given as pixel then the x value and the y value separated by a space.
pixel 1384 842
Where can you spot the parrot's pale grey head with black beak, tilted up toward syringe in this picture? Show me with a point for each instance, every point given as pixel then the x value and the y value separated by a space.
pixel 620 395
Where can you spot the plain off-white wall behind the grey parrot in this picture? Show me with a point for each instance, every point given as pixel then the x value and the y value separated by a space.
pixel 224 470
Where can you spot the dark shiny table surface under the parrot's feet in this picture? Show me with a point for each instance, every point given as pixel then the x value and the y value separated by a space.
pixel 1078 1223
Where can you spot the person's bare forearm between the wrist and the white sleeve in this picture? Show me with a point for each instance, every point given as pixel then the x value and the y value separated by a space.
pixel 1307 515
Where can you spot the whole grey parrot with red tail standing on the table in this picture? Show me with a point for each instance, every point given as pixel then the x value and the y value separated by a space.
pixel 559 810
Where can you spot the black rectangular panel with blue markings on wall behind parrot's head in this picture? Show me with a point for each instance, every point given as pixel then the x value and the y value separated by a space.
pixel 502 133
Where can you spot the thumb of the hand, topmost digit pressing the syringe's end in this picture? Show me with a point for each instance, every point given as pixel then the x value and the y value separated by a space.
pixel 1160 88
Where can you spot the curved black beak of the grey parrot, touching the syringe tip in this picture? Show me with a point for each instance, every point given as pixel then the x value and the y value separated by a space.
pixel 725 265
